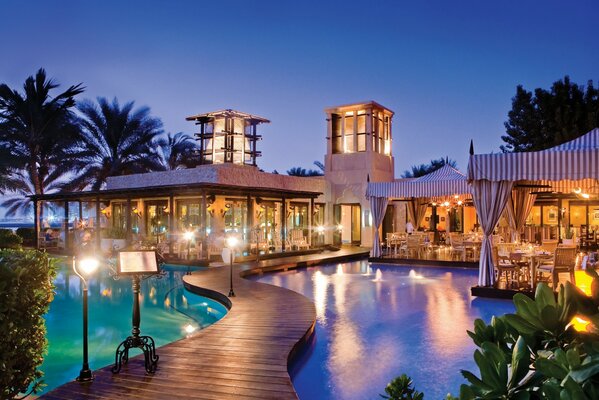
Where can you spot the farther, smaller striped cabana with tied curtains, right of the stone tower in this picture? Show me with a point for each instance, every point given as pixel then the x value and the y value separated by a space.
pixel 445 181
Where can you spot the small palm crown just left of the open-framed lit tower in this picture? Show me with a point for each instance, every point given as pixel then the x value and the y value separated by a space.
pixel 178 151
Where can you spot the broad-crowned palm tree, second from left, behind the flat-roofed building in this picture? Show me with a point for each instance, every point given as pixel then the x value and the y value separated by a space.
pixel 115 141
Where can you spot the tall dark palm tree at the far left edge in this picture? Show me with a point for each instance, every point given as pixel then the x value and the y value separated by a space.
pixel 40 130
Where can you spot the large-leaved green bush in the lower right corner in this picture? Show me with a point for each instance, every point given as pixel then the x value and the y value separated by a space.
pixel 536 353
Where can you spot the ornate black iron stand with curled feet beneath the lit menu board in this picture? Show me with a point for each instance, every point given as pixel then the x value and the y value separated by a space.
pixel 145 343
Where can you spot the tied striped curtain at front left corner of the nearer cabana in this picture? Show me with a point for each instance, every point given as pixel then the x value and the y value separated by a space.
pixel 490 198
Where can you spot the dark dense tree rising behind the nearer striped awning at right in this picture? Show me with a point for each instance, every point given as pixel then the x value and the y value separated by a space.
pixel 544 119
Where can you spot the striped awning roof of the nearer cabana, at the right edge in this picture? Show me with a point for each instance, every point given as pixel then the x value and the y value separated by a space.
pixel 576 160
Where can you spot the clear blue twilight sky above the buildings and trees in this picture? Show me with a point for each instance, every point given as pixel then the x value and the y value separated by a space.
pixel 448 69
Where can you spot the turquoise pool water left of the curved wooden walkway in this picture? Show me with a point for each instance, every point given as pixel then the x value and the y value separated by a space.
pixel 166 309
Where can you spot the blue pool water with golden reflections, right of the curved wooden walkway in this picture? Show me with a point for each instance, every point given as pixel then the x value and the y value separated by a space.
pixel 368 331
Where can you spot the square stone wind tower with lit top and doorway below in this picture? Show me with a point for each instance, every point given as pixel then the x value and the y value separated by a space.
pixel 358 148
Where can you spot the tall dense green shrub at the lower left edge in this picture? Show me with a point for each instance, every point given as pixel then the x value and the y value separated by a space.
pixel 26 290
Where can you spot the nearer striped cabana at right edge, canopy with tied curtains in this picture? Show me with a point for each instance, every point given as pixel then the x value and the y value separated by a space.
pixel 569 167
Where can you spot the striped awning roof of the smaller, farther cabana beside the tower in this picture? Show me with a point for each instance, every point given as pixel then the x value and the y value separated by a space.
pixel 446 181
